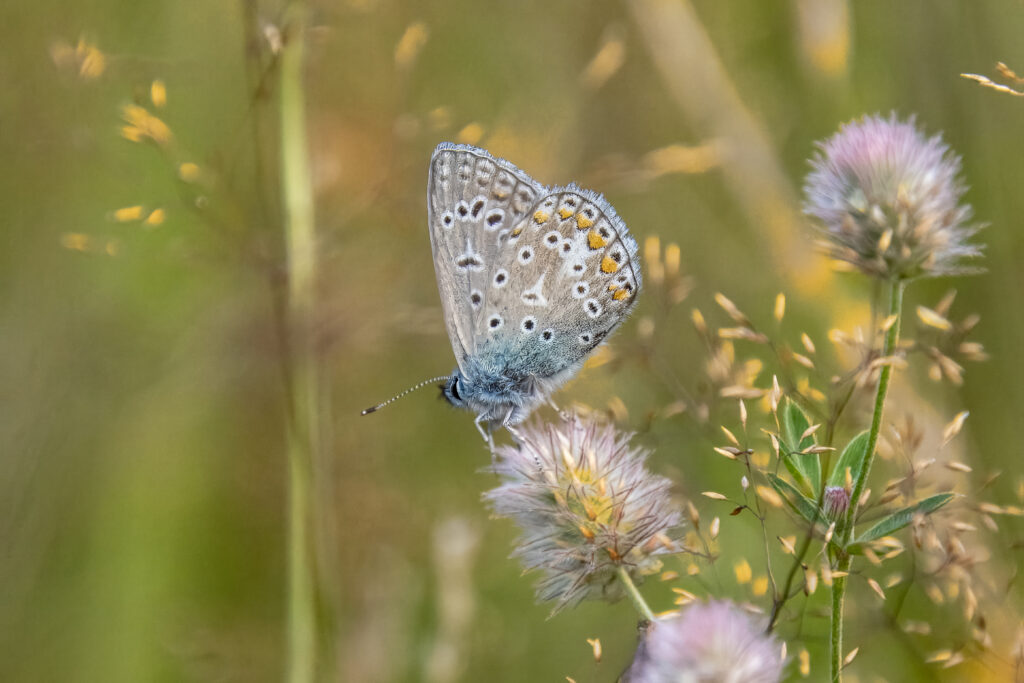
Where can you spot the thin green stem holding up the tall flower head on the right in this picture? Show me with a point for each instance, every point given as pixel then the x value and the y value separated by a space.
pixel 840 584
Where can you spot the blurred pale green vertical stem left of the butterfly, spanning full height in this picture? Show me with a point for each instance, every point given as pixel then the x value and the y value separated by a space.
pixel 304 426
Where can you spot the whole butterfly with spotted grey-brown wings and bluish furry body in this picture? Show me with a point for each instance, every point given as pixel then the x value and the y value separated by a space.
pixel 532 280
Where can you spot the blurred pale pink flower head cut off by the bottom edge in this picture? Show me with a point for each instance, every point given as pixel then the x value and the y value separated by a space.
pixel 716 643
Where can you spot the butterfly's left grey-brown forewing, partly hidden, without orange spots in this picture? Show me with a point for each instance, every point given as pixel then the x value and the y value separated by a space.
pixel 473 198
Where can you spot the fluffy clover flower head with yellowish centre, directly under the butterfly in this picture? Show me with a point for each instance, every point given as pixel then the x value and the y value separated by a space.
pixel 586 506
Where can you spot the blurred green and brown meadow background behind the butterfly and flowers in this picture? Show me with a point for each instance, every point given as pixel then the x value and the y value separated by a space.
pixel 143 432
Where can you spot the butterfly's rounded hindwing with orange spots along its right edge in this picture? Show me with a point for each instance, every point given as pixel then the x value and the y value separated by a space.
pixel 567 276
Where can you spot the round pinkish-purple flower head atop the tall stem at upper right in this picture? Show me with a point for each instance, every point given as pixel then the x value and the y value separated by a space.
pixel 888 201
